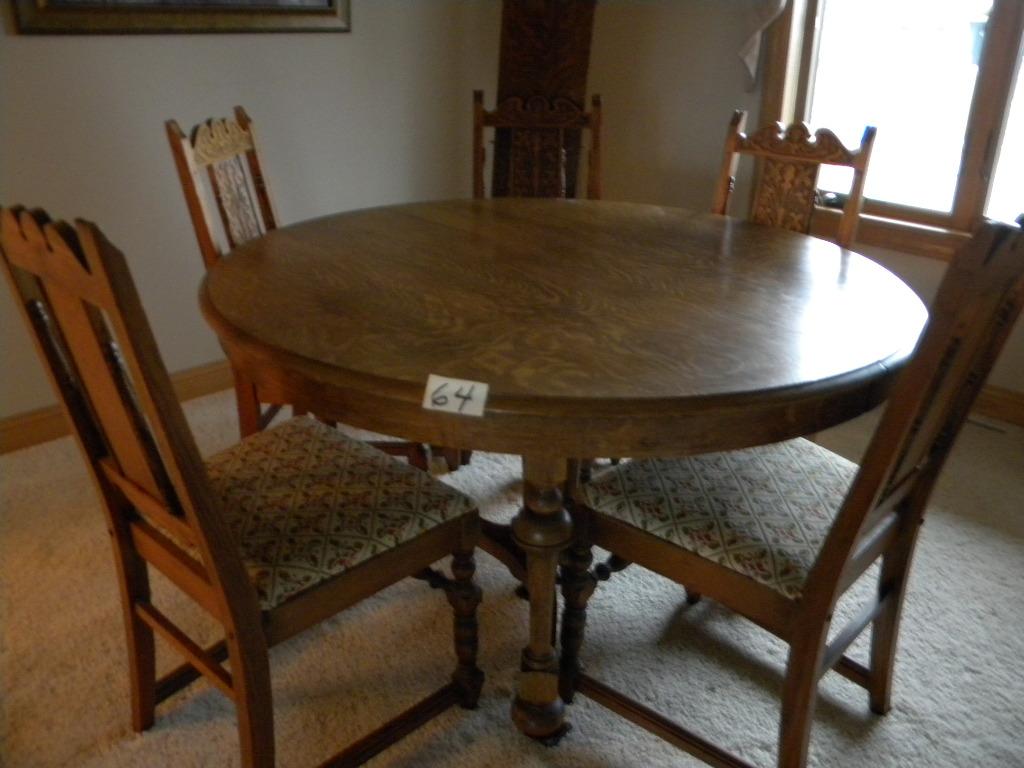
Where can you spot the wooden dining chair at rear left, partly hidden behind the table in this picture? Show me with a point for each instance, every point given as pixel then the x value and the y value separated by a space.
pixel 230 204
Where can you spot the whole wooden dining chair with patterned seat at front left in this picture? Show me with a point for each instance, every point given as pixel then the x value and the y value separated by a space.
pixel 270 537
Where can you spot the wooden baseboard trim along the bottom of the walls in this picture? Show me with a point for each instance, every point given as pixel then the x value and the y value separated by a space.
pixel 23 431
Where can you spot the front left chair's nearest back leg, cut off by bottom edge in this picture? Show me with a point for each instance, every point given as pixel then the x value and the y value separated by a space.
pixel 251 679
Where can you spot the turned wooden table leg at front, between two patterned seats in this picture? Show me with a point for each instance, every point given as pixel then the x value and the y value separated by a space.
pixel 542 529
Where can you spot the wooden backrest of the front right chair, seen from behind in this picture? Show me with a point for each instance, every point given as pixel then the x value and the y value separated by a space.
pixel 973 314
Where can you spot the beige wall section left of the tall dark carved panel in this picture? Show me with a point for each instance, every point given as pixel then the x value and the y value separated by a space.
pixel 380 115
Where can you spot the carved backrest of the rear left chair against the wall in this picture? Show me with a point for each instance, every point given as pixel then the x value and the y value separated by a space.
pixel 220 167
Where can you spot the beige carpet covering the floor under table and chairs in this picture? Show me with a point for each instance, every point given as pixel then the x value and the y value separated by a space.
pixel 959 701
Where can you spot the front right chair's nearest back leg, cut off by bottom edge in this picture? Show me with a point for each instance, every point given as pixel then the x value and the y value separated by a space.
pixel 799 698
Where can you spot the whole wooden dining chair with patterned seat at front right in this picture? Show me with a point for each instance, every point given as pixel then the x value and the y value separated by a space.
pixel 780 533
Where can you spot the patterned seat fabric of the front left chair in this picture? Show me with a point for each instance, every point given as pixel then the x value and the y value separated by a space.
pixel 307 503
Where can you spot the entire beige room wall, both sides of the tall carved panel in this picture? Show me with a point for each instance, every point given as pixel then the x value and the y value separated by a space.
pixel 377 116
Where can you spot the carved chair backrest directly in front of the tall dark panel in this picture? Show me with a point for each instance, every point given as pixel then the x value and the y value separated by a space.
pixel 540 133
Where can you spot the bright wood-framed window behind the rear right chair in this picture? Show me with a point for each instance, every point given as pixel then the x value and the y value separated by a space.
pixel 938 78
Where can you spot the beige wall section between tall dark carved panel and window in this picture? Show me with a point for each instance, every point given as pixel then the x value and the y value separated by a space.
pixel 669 75
